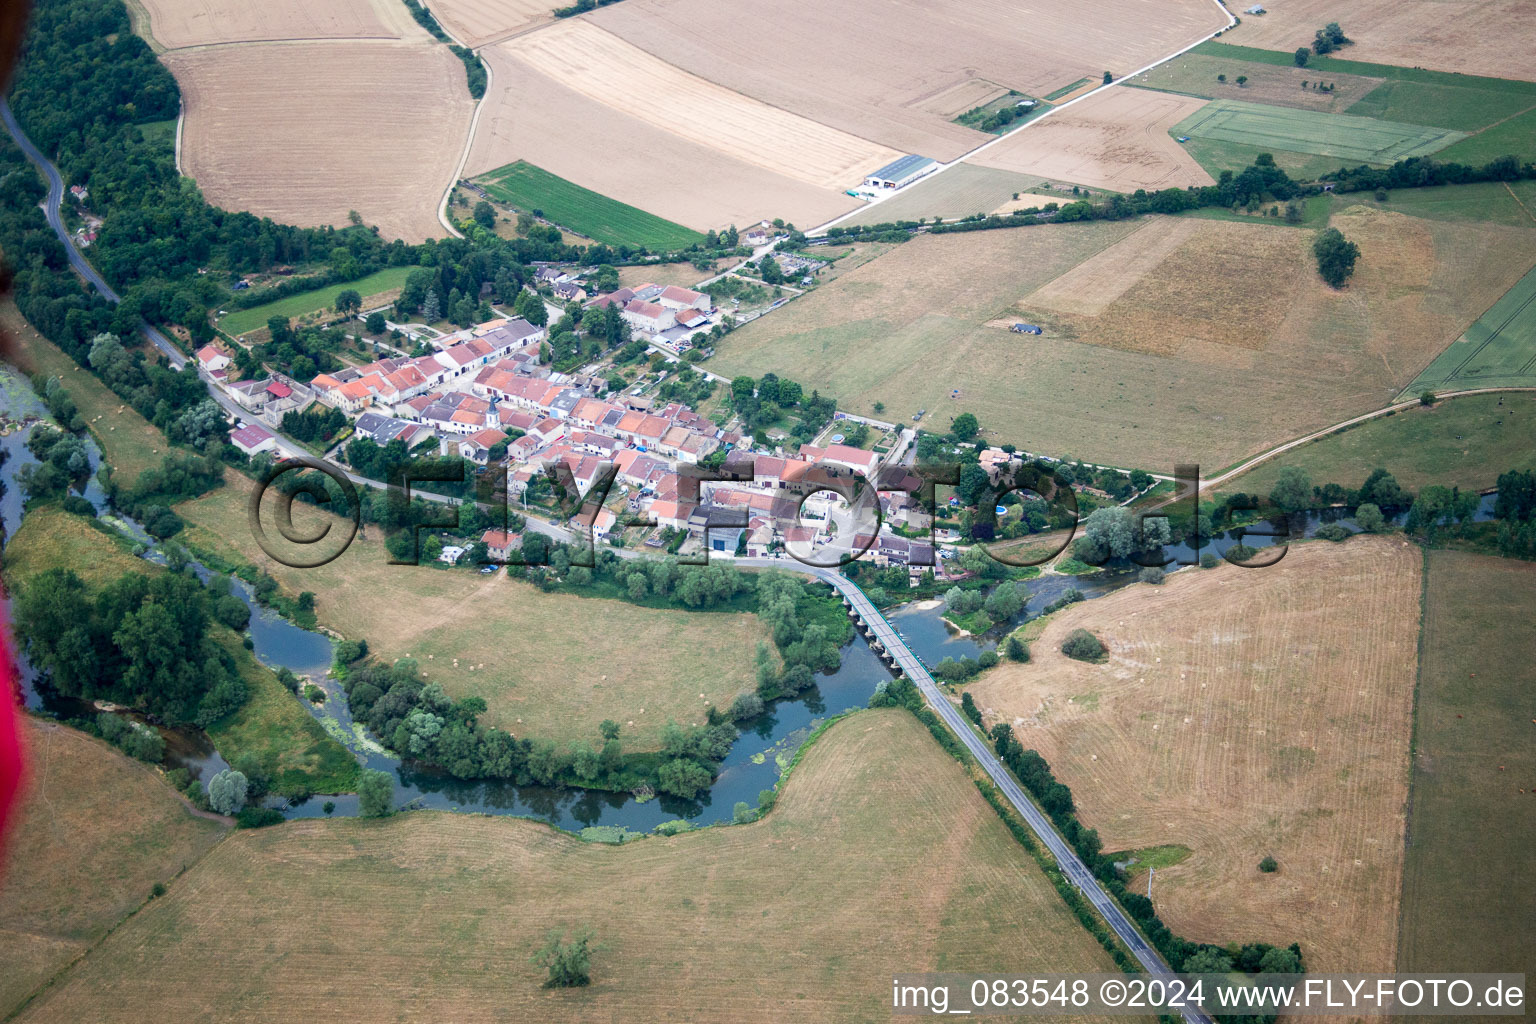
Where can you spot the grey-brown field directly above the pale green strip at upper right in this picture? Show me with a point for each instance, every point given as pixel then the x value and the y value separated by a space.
pixel 1196 74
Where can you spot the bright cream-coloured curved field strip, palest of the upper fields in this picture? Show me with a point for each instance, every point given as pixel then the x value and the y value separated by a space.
pixel 607 70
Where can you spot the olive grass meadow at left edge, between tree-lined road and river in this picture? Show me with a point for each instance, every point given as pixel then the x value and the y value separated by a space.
pixel 130 443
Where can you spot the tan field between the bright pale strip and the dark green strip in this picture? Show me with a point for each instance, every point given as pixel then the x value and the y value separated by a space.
pixel 680 176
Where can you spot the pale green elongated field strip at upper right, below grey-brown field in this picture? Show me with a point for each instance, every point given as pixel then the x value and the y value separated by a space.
pixel 1339 136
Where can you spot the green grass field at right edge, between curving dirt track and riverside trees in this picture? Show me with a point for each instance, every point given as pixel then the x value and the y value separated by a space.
pixel 1460 443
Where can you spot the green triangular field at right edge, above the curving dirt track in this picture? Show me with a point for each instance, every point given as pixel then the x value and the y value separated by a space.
pixel 1500 351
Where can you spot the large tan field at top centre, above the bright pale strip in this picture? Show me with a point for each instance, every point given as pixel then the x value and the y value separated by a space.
pixel 893 71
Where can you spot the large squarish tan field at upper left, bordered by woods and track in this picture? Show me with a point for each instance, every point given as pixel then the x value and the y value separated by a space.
pixel 326 104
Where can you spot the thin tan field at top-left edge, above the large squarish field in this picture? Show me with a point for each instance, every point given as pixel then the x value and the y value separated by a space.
pixel 177 24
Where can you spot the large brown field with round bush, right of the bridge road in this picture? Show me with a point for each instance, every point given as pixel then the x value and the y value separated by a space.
pixel 1245 713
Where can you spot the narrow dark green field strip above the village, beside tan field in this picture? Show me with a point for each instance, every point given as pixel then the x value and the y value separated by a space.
pixel 583 211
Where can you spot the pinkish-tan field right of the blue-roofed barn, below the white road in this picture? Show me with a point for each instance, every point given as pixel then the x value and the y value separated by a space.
pixel 1114 140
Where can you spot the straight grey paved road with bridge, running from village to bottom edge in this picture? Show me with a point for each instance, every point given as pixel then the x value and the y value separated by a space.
pixel 1073 867
